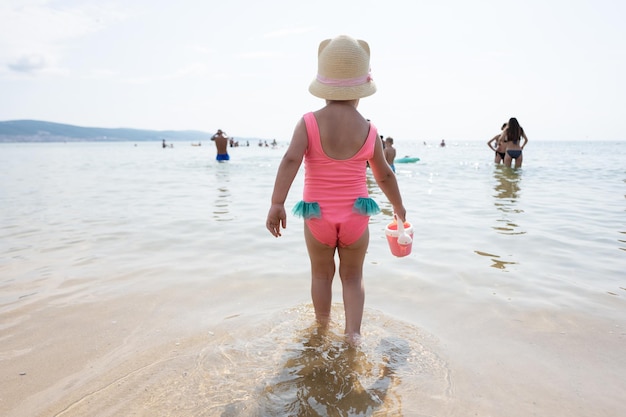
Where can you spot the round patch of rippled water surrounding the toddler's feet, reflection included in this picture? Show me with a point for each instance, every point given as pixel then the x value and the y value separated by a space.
pixel 395 372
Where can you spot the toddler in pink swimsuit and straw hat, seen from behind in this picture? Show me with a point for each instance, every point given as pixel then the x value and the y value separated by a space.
pixel 335 142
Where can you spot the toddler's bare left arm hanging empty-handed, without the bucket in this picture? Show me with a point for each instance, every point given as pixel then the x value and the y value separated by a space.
pixel 287 170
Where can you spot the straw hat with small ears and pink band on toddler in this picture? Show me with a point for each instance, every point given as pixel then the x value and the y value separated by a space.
pixel 343 70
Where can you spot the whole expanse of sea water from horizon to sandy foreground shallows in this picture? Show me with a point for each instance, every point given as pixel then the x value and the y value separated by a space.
pixel 137 280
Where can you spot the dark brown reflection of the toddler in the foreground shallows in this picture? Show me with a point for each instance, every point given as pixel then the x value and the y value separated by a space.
pixel 324 376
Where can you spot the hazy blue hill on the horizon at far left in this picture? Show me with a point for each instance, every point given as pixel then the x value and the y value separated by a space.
pixel 39 131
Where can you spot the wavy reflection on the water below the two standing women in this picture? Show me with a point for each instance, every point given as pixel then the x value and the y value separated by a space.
pixel 507 190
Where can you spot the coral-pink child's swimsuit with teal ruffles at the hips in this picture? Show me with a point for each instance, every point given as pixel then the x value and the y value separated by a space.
pixel 336 204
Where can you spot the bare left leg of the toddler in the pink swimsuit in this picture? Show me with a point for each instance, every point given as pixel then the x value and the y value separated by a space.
pixel 322 272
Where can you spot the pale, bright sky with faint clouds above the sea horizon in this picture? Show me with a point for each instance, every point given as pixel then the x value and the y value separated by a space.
pixel 446 69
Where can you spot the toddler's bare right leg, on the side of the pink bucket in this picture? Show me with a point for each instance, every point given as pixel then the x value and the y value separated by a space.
pixel 351 260
